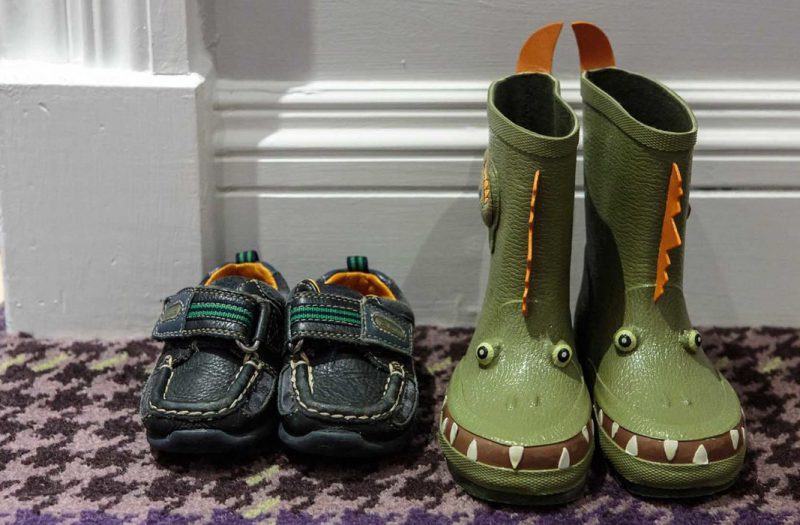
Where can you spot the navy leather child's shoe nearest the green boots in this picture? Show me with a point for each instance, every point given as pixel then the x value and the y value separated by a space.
pixel 348 386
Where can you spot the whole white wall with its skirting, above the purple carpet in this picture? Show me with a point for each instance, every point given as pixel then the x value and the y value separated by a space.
pixel 312 130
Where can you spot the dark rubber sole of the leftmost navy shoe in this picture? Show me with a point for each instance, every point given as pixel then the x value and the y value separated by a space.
pixel 210 441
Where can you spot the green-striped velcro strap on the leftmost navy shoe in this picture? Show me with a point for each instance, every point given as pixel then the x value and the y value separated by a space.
pixel 214 312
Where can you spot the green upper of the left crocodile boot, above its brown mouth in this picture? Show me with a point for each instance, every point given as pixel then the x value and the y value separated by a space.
pixel 521 396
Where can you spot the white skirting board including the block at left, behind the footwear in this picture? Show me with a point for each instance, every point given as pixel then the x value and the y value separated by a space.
pixel 111 183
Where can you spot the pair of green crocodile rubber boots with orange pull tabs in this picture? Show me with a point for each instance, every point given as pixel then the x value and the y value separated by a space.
pixel 516 425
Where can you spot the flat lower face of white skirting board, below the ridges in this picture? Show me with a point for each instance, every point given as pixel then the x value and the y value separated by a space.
pixel 740 247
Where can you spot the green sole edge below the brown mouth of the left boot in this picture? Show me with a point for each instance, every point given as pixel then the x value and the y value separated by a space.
pixel 516 487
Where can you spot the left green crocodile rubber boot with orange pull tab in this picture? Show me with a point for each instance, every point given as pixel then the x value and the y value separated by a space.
pixel 516 422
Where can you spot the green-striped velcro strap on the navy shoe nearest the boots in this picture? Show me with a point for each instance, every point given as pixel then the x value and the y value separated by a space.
pixel 362 322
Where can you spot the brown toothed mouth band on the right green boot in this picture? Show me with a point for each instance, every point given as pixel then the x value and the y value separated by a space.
pixel 698 451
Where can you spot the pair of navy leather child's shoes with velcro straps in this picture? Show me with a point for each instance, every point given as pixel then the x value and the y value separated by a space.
pixel 329 363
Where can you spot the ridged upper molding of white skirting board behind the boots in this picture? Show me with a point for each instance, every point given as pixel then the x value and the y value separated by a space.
pixel 387 134
